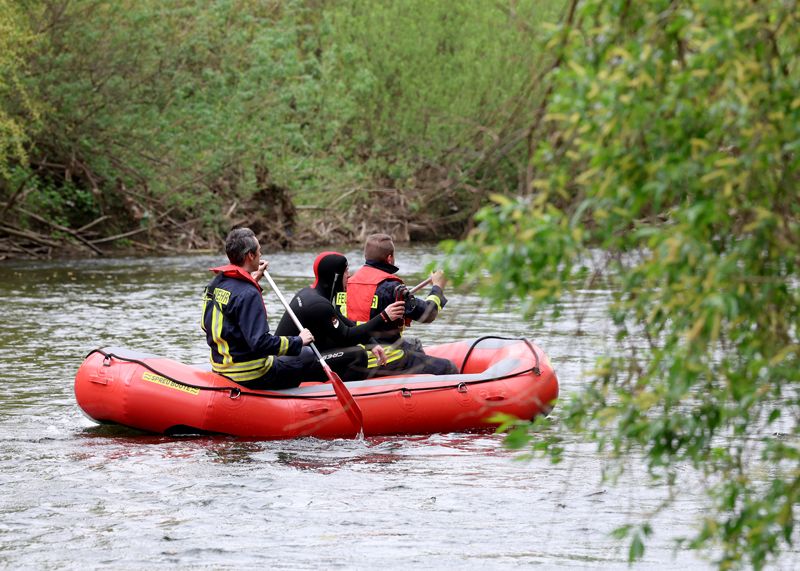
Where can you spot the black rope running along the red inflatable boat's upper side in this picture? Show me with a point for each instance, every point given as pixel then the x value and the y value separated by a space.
pixel 236 392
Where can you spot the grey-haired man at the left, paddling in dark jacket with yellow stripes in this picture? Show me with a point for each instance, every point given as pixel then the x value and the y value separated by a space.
pixel 235 323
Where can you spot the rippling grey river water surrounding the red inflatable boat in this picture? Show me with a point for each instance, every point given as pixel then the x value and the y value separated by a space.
pixel 79 496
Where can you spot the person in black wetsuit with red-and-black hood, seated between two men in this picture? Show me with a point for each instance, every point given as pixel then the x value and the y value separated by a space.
pixel 347 348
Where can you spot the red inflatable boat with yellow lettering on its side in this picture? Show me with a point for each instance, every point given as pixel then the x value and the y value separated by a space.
pixel 156 394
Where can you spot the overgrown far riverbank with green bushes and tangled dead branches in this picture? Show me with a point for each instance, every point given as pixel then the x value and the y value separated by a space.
pixel 159 125
